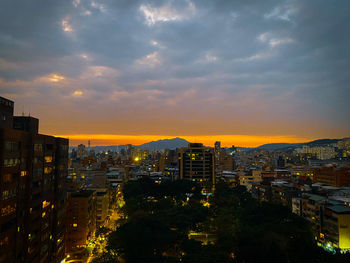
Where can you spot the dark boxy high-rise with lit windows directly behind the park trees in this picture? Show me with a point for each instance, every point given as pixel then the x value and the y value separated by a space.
pixel 197 163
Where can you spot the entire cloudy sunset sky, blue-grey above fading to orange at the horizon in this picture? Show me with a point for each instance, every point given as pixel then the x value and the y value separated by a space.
pixel 126 71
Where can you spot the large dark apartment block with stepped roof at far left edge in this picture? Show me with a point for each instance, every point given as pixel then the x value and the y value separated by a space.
pixel 32 195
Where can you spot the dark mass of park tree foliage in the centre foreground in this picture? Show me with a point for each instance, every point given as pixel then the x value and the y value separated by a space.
pixel 160 217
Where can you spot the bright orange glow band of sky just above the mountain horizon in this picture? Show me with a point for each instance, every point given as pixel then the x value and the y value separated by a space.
pixel 209 140
